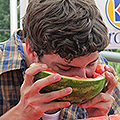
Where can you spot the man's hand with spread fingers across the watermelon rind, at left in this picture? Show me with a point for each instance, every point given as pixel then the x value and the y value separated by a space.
pixel 32 104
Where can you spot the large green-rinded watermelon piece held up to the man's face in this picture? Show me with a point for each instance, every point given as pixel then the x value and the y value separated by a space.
pixel 83 89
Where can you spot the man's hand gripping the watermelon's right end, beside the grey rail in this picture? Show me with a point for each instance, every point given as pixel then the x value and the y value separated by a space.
pixel 101 104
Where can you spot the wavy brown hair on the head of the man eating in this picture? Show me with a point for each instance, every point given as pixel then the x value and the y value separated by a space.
pixel 69 28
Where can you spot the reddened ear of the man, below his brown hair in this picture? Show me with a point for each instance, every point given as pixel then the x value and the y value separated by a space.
pixel 32 55
